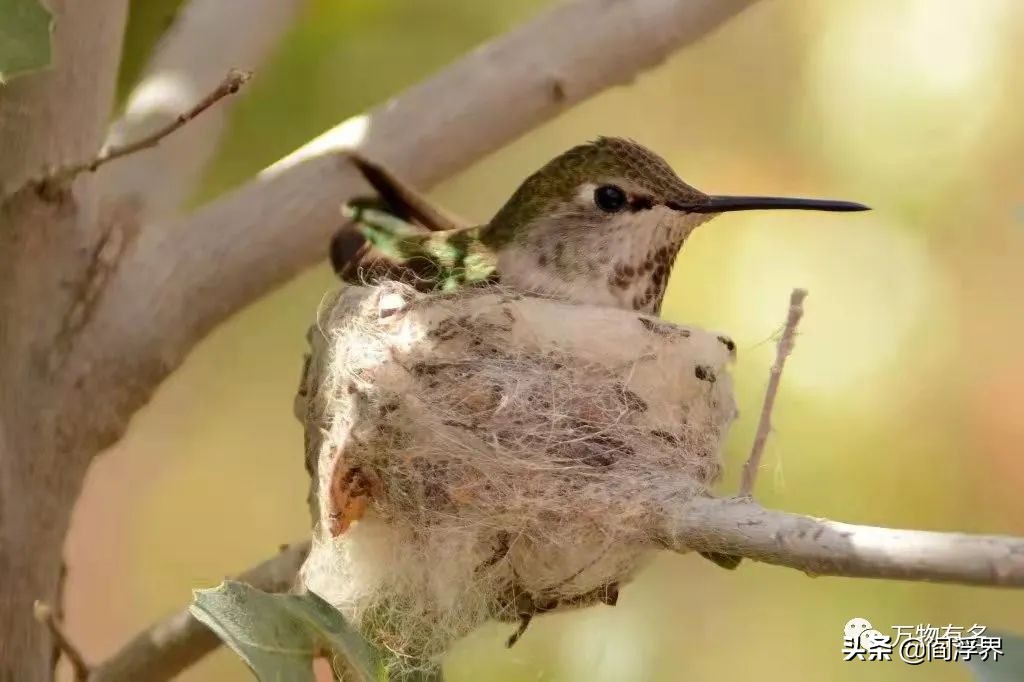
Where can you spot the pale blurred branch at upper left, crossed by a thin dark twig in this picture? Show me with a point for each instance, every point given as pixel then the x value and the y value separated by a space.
pixel 208 38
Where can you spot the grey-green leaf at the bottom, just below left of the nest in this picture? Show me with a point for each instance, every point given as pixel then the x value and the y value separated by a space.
pixel 278 635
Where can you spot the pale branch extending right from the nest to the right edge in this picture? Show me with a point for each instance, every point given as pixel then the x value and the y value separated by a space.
pixel 820 547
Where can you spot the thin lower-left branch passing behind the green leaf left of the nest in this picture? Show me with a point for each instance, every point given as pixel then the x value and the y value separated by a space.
pixel 174 645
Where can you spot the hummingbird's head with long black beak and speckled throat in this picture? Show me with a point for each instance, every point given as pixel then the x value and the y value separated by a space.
pixel 612 215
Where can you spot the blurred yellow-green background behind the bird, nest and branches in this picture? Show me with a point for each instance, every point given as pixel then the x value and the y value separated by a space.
pixel 903 406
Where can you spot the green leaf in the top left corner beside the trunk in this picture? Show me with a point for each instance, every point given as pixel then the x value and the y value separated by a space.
pixel 25 38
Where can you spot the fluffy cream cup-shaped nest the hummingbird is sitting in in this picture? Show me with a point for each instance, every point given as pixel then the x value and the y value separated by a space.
pixel 491 455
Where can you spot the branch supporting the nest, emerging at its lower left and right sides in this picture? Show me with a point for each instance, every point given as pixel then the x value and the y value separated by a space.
pixel 736 527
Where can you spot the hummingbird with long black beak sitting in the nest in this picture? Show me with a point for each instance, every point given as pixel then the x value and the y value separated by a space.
pixel 603 224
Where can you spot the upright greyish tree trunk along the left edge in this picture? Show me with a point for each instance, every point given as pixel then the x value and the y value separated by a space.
pixel 47 119
